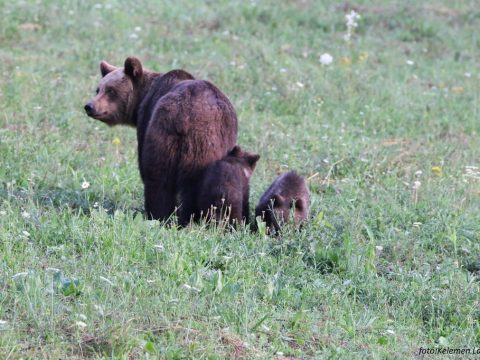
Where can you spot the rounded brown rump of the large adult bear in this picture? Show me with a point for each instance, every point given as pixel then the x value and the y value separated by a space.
pixel 193 122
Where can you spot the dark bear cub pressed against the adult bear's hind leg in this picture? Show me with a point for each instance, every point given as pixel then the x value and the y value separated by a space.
pixel 224 188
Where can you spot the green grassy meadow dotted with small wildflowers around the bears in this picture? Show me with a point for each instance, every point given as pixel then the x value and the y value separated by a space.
pixel 388 135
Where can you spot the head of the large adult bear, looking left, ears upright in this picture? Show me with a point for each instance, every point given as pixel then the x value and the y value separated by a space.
pixel 116 97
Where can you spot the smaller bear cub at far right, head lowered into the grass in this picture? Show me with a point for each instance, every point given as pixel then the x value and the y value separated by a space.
pixel 288 193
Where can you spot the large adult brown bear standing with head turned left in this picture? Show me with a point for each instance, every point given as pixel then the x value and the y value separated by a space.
pixel 182 125
